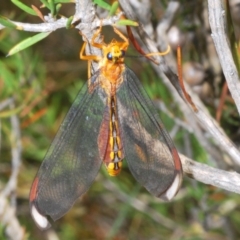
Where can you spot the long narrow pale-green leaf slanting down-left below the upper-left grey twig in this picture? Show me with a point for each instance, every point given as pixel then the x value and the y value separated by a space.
pixel 28 42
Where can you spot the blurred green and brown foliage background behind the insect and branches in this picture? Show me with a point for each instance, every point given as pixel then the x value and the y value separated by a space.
pixel 44 80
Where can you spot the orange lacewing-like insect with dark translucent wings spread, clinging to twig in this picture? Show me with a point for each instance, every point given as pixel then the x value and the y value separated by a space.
pixel 111 119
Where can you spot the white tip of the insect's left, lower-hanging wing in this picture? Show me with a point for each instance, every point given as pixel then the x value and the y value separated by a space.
pixel 40 220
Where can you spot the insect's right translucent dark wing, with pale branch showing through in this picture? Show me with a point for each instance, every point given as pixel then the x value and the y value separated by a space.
pixel 157 169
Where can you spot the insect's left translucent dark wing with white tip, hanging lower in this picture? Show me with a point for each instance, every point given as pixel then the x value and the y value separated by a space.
pixel 72 161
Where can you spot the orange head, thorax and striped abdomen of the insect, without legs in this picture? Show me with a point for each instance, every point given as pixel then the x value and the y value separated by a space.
pixel 110 79
